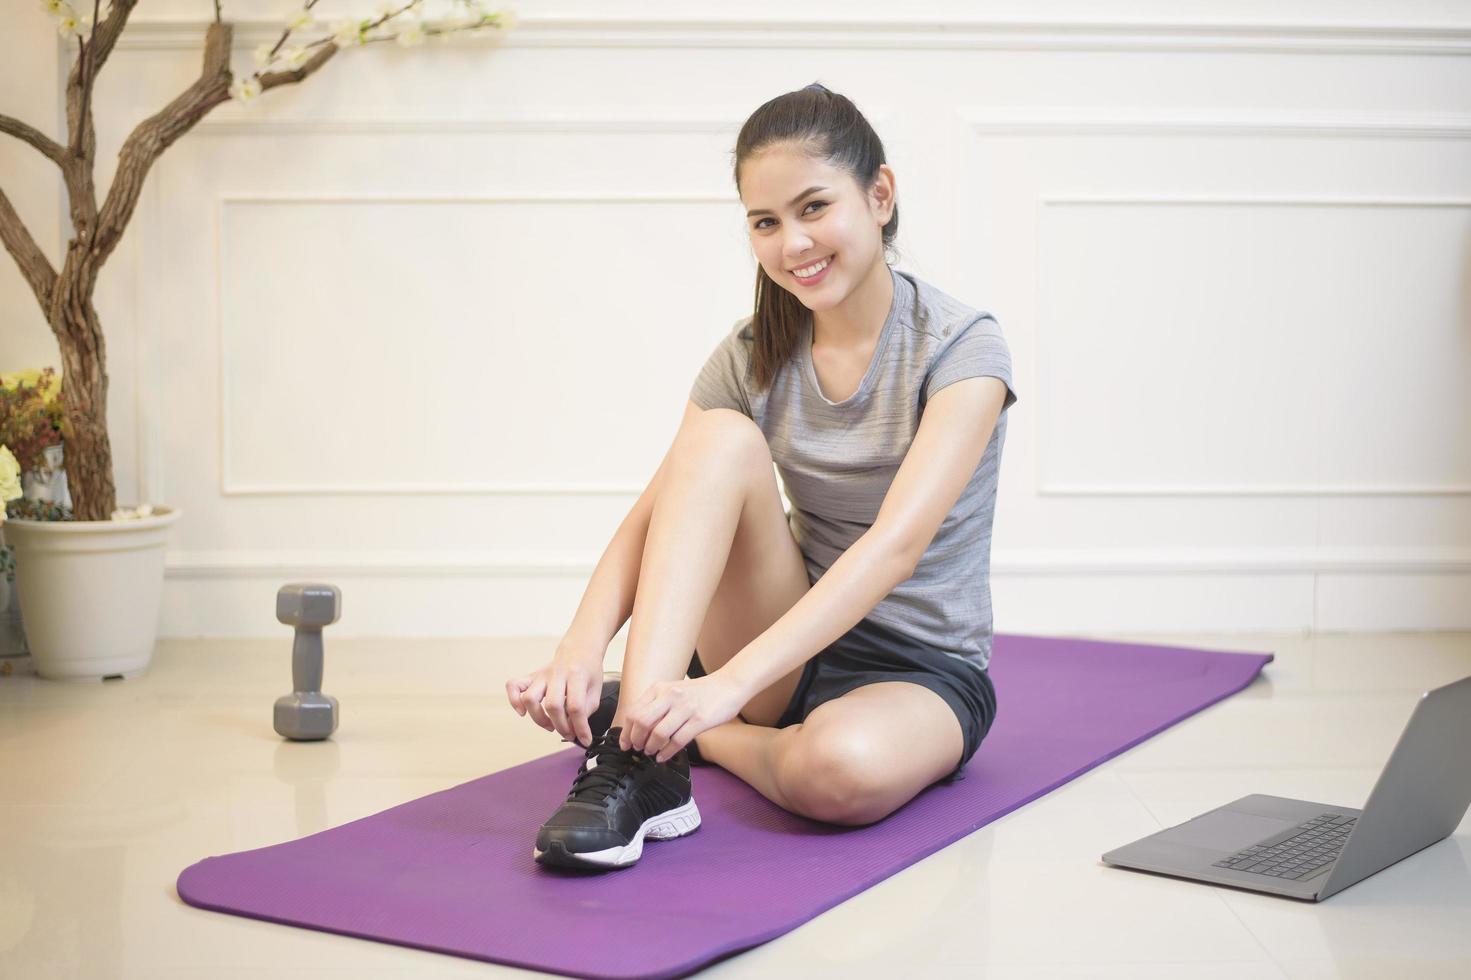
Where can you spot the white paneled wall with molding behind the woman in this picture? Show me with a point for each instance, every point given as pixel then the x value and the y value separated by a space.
pixel 408 327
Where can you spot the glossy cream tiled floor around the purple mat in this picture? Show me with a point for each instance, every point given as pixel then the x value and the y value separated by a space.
pixel 110 791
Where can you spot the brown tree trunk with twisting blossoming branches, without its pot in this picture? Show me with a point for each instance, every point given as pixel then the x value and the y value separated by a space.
pixel 67 297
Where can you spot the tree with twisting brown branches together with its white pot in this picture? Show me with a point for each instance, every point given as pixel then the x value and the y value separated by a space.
pixel 90 576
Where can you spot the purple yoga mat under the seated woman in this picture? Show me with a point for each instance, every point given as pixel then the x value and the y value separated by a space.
pixel 454 872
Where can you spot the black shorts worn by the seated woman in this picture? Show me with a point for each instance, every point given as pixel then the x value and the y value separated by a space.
pixel 870 654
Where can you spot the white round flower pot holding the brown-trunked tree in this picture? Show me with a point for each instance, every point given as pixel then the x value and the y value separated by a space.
pixel 90 594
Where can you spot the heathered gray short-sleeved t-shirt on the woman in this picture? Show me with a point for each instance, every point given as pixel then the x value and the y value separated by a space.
pixel 839 458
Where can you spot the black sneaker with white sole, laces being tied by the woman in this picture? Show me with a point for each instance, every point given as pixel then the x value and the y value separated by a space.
pixel 619 798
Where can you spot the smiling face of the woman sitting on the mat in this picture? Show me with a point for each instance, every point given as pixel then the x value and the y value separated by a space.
pixel 795 227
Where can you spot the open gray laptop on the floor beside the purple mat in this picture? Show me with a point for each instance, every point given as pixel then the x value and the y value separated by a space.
pixel 1311 851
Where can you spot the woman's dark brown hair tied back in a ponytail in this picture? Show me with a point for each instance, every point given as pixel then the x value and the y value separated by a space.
pixel 832 129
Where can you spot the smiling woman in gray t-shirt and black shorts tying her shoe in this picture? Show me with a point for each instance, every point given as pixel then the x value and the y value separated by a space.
pixel 842 650
